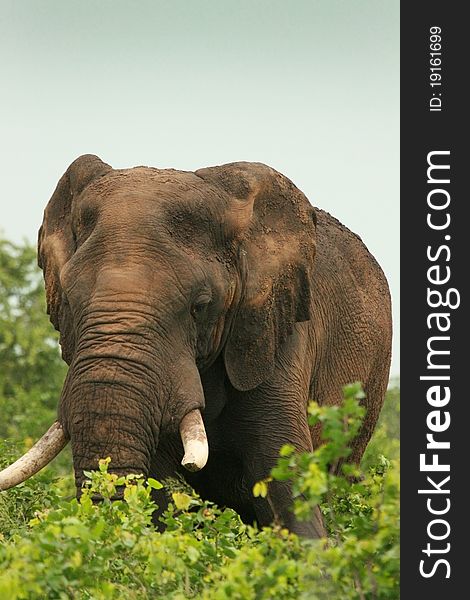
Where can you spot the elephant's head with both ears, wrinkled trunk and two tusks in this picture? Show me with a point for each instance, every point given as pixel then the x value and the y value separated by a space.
pixel 150 276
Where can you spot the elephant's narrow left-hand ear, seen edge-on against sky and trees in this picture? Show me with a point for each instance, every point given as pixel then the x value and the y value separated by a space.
pixel 56 242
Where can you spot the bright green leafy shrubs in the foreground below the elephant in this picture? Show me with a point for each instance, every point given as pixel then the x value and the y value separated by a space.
pixel 83 549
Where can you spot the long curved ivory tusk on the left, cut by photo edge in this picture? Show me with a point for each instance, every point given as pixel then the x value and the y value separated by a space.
pixel 40 455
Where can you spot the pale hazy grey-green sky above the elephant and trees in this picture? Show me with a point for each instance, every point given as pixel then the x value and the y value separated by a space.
pixel 309 87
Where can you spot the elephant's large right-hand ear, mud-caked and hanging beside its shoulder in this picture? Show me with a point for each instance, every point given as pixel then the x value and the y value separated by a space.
pixel 275 225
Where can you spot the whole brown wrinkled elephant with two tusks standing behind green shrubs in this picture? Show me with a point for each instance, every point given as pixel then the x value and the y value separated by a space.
pixel 199 312
